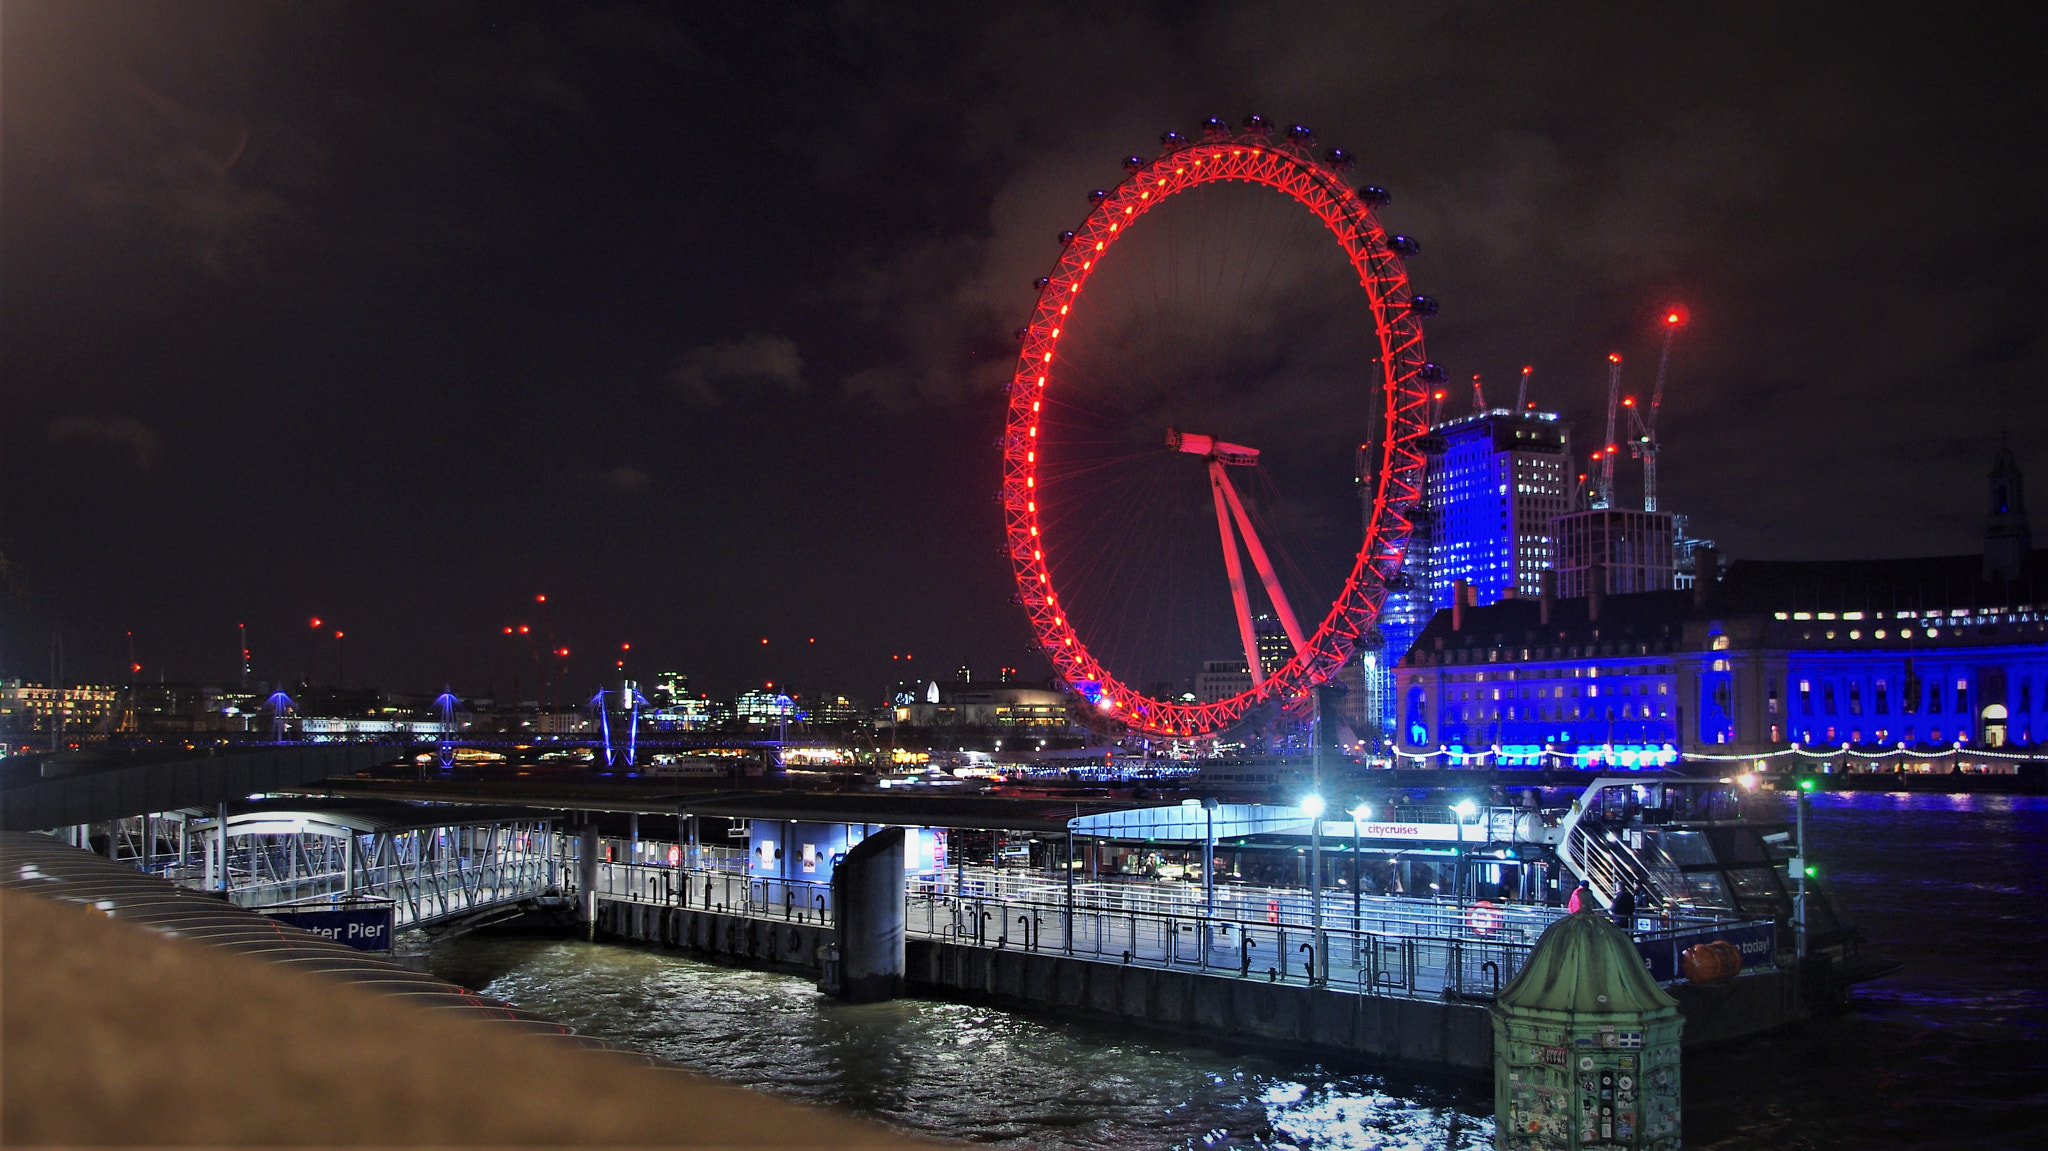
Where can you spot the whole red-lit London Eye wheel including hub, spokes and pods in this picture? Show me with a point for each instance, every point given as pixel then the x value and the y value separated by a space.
pixel 1213 345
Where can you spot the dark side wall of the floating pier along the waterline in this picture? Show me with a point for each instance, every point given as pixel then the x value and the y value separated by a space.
pixel 1443 1037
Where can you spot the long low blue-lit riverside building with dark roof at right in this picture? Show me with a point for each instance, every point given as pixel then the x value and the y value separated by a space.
pixel 1768 658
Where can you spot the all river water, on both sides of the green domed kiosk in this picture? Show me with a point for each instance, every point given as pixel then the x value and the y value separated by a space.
pixel 1953 1052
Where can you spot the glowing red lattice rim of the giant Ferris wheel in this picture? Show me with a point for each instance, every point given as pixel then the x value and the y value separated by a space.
pixel 1400 374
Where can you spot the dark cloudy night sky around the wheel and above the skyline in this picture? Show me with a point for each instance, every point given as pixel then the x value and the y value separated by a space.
pixel 695 318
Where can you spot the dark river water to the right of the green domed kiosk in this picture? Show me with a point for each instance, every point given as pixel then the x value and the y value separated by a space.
pixel 1951 1052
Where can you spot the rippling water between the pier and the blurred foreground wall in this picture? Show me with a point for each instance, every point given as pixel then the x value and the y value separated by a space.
pixel 959 1070
